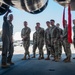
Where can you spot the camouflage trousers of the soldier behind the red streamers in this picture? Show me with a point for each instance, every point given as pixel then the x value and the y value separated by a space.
pixel 67 47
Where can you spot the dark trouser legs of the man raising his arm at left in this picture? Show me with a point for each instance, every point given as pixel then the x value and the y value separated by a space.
pixel 7 50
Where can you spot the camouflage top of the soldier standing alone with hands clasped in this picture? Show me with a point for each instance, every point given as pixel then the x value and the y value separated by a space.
pixel 26 33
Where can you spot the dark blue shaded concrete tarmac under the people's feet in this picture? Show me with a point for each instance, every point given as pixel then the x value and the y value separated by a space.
pixel 39 67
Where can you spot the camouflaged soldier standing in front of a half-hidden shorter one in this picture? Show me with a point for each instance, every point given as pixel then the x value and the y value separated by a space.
pixel 40 40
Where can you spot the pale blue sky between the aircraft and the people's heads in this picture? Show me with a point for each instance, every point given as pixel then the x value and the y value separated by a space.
pixel 52 11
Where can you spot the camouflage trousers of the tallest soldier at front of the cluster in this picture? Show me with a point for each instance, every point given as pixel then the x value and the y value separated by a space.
pixel 55 46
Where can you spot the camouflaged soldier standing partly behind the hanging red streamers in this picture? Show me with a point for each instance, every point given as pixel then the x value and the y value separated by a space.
pixel 66 44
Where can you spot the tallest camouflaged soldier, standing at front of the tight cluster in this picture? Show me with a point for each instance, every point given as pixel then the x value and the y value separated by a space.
pixel 54 40
